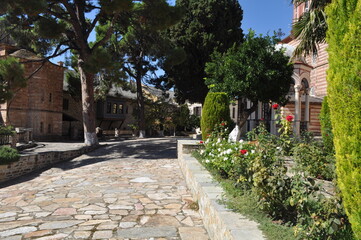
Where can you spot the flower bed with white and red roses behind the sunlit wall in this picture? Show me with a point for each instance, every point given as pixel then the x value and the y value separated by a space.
pixel 257 167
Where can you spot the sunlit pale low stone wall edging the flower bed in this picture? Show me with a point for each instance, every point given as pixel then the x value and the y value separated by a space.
pixel 220 222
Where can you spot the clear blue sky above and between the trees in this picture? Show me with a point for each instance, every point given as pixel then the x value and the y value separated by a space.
pixel 263 16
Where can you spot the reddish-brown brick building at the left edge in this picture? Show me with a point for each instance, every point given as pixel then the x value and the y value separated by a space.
pixel 39 105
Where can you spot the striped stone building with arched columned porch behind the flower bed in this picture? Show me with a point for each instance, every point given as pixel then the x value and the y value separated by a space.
pixel 310 84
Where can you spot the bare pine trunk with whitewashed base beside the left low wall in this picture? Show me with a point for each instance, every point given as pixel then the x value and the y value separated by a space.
pixel 87 91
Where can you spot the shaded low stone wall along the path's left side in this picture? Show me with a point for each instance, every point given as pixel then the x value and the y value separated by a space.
pixel 32 162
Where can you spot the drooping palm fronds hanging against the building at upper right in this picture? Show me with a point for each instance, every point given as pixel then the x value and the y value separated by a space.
pixel 311 27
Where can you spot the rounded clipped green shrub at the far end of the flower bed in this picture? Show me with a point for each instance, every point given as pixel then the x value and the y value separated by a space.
pixel 215 110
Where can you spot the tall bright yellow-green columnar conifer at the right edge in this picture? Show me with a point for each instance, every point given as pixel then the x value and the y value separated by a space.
pixel 344 97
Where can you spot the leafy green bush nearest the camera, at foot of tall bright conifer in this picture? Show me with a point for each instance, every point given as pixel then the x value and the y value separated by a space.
pixel 318 217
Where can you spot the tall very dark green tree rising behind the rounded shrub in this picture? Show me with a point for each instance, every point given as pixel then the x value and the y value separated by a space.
pixel 207 25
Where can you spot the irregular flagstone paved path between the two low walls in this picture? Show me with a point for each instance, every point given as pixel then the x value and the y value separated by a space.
pixel 126 190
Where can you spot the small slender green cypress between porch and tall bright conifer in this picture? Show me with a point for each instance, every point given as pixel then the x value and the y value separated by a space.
pixel 326 126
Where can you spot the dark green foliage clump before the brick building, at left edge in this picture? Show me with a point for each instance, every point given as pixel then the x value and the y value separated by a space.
pixel 11 78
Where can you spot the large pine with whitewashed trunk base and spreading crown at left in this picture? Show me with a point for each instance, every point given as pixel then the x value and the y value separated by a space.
pixel 65 25
